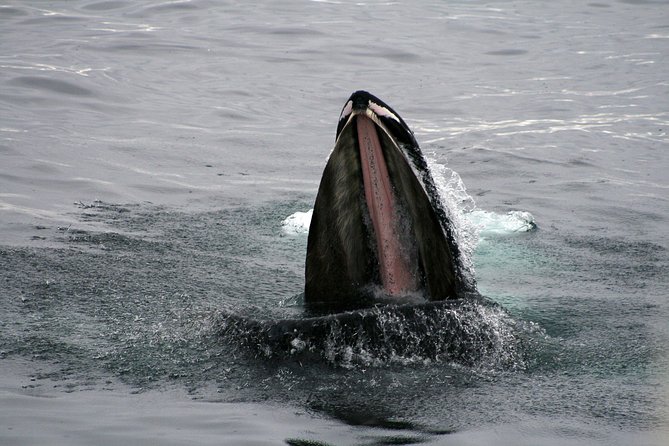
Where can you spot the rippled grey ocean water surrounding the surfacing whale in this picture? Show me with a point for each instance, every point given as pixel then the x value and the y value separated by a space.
pixel 157 164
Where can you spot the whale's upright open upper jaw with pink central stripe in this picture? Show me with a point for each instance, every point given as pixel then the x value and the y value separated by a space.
pixel 380 232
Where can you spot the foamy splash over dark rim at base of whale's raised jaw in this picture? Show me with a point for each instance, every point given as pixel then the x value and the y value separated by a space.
pixel 472 332
